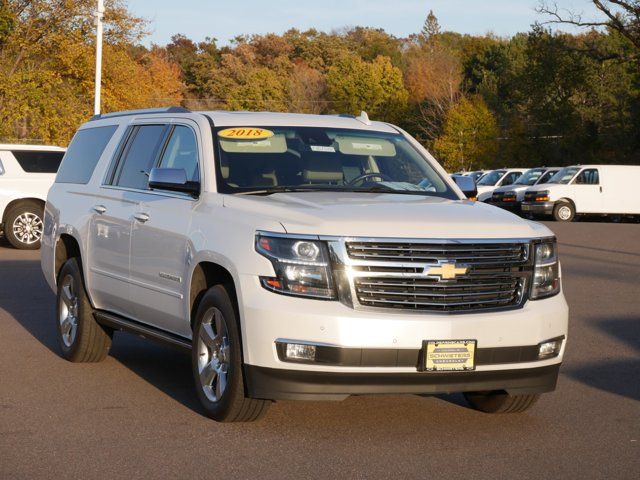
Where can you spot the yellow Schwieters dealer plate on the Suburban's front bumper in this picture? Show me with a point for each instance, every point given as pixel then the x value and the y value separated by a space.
pixel 449 355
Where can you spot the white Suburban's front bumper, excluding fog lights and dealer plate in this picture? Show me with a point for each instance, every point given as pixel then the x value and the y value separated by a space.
pixel 384 341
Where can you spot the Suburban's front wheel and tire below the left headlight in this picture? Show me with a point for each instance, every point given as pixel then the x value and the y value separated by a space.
pixel 217 361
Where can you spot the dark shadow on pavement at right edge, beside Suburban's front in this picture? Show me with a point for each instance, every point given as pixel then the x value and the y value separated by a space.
pixel 618 376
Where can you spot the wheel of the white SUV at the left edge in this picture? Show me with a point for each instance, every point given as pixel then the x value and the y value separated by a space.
pixel 24 225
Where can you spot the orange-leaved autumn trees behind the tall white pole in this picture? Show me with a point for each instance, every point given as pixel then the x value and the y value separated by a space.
pixel 47 67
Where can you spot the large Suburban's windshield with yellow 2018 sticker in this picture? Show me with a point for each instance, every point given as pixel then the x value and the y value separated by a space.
pixel 280 159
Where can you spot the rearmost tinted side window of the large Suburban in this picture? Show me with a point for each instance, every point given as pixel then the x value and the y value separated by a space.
pixel 83 154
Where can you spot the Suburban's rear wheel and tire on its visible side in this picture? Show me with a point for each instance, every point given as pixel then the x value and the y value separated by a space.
pixel 80 337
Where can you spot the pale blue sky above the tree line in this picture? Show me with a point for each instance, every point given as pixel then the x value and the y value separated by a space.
pixel 226 19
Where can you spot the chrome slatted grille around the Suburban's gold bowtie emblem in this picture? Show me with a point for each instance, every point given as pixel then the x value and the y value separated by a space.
pixel 395 275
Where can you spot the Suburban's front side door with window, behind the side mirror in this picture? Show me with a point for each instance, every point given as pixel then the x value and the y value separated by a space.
pixel 160 249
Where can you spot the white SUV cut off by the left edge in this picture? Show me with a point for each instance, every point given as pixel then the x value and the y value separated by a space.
pixel 26 174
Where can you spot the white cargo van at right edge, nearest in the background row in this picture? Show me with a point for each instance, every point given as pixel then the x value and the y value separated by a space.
pixel 586 189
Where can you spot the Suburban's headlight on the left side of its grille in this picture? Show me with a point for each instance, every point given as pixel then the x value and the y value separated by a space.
pixel 302 267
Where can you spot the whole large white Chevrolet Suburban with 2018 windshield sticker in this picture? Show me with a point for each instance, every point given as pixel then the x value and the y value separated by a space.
pixel 298 257
